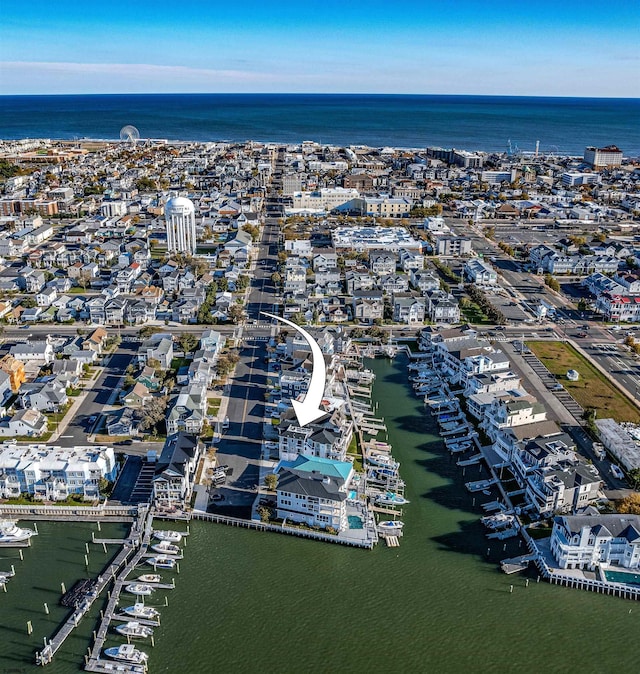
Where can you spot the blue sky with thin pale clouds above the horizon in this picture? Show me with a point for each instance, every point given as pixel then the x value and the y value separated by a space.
pixel 563 48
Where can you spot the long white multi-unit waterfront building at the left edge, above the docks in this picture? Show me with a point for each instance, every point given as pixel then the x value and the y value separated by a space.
pixel 53 473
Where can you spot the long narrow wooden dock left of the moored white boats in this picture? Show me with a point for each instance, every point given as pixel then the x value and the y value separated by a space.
pixel 45 656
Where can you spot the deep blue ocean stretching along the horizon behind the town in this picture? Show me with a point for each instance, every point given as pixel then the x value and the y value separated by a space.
pixel 562 125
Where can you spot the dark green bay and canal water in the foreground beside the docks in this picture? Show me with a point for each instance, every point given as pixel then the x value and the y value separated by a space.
pixel 249 601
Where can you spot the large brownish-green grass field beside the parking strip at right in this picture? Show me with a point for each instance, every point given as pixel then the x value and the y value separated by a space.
pixel 592 389
